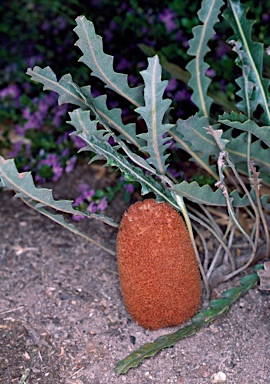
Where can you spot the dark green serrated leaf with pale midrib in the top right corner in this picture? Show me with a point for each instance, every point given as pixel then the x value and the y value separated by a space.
pixel 235 14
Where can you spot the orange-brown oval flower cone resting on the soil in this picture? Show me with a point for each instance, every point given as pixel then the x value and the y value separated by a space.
pixel 159 276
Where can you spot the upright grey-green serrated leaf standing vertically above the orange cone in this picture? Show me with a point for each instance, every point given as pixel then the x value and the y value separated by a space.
pixel 153 114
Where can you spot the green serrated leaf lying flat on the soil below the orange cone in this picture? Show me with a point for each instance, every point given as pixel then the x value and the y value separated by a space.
pixel 218 308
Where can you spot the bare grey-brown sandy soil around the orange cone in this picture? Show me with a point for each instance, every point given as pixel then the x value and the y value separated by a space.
pixel 62 318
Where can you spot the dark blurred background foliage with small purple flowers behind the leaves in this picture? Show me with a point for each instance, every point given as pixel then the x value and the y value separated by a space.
pixel 40 33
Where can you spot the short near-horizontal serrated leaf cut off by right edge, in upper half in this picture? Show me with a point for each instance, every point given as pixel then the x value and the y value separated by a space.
pixel 244 124
